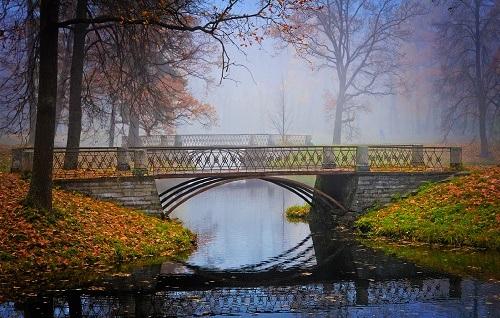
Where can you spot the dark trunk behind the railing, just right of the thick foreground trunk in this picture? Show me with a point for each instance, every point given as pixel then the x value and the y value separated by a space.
pixel 75 89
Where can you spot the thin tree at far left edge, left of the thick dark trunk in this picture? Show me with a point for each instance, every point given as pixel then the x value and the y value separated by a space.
pixel 19 26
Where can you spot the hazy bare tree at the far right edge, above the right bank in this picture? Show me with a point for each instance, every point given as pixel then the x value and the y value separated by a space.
pixel 469 84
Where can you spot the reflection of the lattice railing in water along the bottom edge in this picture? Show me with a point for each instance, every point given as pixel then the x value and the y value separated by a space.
pixel 340 298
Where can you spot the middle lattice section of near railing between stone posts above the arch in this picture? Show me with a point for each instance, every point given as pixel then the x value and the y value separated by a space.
pixel 252 159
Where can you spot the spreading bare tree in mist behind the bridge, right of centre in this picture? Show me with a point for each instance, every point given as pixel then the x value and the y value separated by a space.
pixel 359 39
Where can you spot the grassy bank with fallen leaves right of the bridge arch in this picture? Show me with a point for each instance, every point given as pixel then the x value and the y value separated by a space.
pixel 462 212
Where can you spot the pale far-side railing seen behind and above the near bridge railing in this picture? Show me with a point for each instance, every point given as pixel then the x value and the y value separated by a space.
pixel 225 140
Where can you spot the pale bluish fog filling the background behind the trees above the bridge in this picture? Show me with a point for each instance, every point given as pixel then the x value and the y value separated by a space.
pixel 417 63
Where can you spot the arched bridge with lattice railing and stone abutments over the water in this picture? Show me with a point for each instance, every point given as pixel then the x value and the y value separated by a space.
pixel 350 178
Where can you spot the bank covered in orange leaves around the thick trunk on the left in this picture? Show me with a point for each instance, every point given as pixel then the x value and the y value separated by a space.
pixel 81 233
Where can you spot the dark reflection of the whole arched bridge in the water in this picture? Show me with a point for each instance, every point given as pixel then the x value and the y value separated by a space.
pixel 339 277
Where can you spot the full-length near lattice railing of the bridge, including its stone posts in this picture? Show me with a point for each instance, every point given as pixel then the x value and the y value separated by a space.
pixel 192 161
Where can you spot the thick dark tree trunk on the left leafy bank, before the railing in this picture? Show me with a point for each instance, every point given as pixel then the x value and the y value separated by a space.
pixel 40 192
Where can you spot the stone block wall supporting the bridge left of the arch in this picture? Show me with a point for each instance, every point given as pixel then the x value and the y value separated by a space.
pixel 133 192
